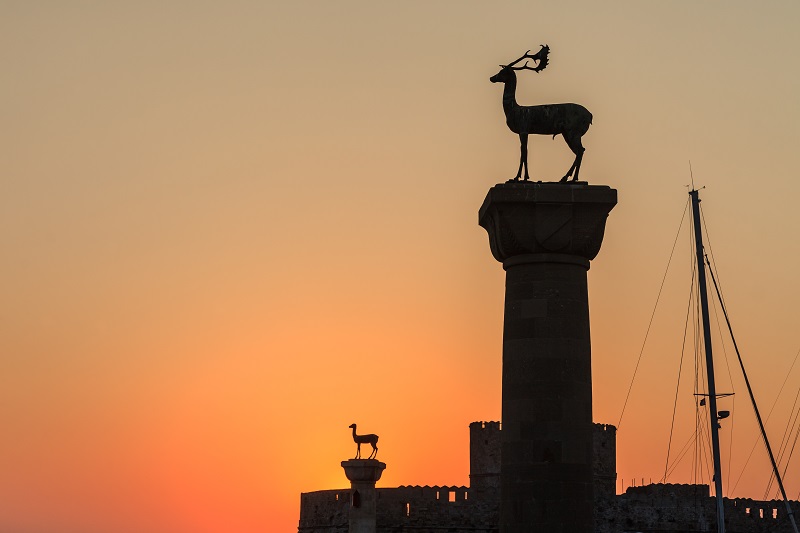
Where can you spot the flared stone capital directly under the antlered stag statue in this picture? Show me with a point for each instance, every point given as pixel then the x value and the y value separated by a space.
pixel 546 218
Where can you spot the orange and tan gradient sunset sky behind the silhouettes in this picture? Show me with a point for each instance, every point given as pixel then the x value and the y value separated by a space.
pixel 230 230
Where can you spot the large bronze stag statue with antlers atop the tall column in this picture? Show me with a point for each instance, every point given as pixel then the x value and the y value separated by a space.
pixel 570 120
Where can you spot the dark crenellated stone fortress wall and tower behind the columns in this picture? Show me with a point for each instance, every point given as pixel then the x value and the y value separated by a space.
pixel 663 508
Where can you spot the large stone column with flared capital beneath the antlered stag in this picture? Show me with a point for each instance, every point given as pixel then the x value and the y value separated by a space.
pixel 545 234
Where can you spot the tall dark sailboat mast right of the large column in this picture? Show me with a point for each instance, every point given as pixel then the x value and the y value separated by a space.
pixel 712 389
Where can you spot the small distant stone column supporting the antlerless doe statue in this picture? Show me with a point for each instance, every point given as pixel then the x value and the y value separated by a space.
pixel 363 474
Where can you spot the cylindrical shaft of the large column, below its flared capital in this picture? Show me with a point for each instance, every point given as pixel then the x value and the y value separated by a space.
pixel 546 471
